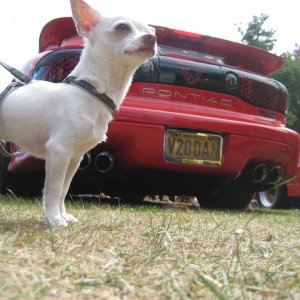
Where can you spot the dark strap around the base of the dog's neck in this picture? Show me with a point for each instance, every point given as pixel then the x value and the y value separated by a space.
pixel 87 87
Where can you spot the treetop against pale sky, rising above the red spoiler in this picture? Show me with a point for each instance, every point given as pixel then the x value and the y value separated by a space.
pixel 256 36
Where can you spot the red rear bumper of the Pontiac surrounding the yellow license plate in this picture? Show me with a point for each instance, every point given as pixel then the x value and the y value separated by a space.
pixel 136 141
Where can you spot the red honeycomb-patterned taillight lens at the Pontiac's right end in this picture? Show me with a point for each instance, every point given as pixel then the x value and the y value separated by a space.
pixel 264 92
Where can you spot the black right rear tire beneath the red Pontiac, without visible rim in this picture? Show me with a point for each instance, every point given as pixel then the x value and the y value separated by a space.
pixel 233 197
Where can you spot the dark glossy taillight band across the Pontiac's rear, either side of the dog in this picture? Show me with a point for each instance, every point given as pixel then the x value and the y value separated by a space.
pixel 254 89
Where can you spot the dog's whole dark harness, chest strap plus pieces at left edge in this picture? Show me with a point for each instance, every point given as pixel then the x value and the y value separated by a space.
pixel 24 80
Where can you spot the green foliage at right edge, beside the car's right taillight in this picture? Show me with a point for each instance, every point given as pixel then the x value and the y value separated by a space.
pixel 289 75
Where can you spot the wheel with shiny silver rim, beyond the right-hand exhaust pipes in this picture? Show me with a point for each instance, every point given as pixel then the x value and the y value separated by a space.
pixel 275 197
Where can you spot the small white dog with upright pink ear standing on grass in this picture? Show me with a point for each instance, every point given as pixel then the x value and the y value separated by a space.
pixel 59 122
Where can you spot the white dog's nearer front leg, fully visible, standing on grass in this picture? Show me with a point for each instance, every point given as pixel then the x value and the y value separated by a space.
pixel 57 161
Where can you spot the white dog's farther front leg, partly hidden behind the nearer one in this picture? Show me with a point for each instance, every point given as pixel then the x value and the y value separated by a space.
pixel 72 168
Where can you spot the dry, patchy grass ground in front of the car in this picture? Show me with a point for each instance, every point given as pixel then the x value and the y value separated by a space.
pixel 123 252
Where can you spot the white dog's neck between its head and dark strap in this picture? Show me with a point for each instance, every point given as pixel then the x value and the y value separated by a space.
pixel 108 76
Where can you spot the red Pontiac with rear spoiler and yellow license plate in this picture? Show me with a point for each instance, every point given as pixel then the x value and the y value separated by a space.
pixel 204 119
